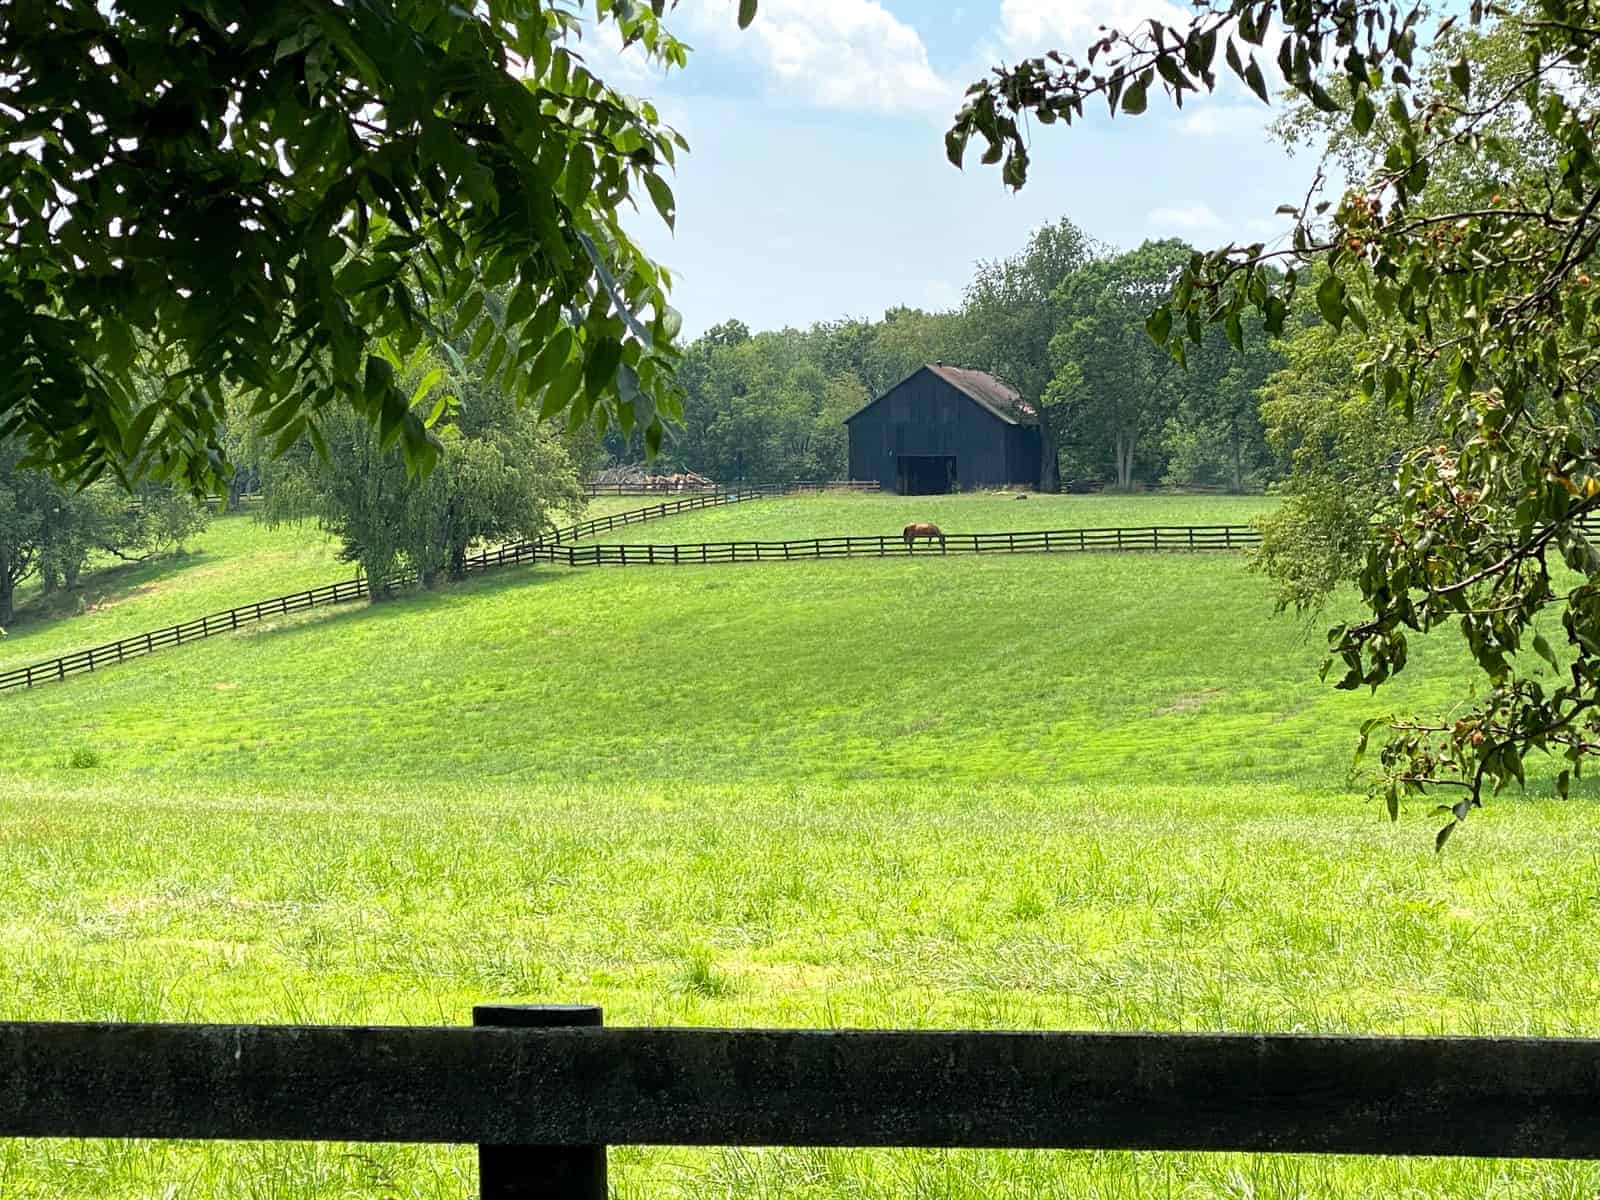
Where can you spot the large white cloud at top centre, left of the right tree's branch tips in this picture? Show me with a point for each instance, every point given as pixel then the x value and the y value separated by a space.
pixel 847 55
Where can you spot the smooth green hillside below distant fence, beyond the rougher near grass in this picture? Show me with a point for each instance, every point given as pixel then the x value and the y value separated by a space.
pixel 1028 670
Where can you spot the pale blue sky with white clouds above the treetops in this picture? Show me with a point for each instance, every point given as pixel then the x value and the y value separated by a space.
pixel 817 185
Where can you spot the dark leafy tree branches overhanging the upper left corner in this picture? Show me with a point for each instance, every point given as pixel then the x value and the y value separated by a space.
pixel 241 196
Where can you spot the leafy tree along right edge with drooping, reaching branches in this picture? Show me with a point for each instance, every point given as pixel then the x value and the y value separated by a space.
pixel 1470 266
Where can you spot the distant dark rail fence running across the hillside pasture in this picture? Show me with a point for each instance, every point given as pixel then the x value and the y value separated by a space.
pixel 1180 538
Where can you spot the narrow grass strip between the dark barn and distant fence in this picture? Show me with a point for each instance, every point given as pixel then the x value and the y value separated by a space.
pixel 793 518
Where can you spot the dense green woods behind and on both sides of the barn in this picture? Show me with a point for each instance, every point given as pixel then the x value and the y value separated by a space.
pixel 1063 321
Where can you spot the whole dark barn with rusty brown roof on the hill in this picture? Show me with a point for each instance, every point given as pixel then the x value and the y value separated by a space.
pixel 946 428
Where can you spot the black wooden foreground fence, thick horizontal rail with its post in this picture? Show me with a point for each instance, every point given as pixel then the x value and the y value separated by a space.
pixel 543 1092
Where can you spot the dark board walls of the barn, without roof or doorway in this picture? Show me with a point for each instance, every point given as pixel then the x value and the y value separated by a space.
pixel 926 415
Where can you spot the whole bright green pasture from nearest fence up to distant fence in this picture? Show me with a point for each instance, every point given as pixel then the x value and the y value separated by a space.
pixel 1079 793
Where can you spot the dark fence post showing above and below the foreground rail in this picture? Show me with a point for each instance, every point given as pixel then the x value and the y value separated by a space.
pixel 540 1172
